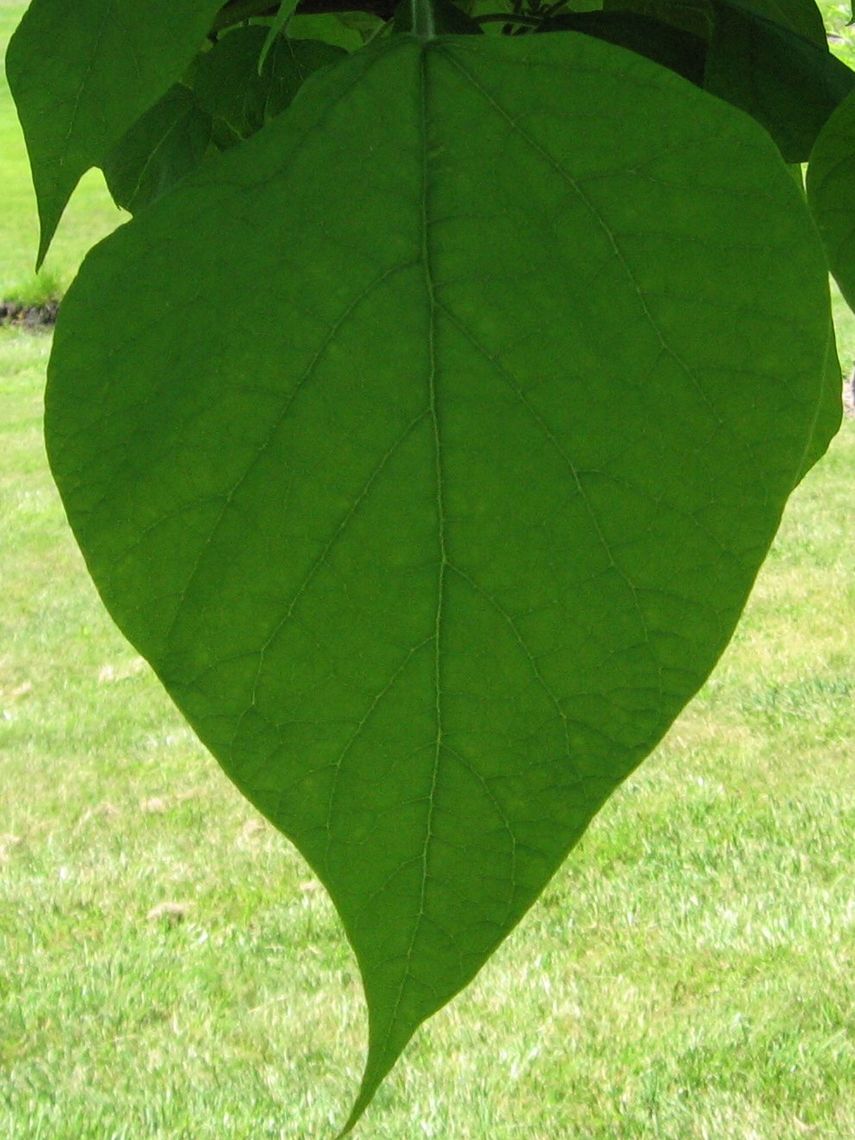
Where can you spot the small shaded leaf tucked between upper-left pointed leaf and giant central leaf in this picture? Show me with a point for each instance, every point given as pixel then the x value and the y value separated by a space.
pixel 166 144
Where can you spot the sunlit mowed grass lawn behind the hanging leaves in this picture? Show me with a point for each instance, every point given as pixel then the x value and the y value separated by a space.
pixel 169 968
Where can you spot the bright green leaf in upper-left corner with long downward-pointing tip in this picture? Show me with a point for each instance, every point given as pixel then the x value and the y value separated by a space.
pixel 83 74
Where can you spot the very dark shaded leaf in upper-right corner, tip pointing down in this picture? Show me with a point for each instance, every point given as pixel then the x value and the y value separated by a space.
pixel 787 84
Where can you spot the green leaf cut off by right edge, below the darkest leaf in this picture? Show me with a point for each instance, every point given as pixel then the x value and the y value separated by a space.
pixel 832 194
